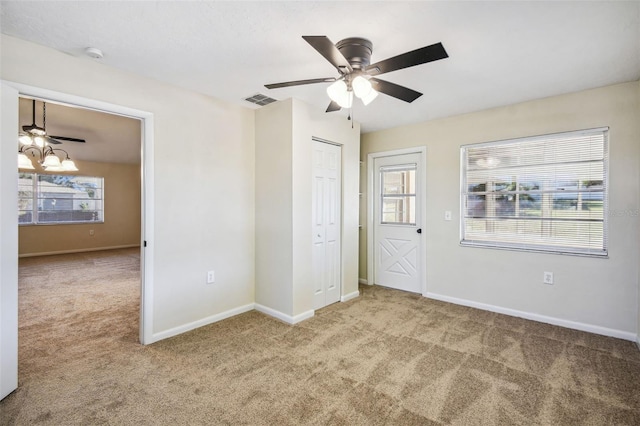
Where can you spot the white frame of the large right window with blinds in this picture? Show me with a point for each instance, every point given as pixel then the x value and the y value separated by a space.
pixel 526 245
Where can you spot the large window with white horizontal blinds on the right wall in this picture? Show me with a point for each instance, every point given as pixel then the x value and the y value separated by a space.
pixel 546 193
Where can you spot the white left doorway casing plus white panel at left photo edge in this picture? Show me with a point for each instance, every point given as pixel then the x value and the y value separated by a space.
pixel 10 100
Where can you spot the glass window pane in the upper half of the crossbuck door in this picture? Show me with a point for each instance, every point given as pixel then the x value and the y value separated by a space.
pixel 398 185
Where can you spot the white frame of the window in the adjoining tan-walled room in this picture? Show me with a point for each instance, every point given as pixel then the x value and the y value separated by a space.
pixel 36 197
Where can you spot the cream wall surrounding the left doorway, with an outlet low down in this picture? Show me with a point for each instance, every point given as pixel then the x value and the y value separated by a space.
pixel 203 175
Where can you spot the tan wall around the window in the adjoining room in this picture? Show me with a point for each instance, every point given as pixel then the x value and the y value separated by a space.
pixel 121 227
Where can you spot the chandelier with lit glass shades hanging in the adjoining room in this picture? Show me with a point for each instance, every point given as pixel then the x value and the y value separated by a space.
pixel 35 143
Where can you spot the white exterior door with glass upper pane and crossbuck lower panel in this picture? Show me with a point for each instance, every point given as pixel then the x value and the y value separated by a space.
pixel 397 215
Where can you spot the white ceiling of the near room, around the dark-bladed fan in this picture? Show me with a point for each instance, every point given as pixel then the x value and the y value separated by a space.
pixel 500 52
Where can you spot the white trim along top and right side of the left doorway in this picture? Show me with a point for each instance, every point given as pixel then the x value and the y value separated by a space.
pixel 147 189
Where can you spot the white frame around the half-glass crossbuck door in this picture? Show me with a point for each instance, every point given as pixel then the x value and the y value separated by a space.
pixel 371 176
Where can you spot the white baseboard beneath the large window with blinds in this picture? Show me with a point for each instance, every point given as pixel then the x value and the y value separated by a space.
pixel 536 317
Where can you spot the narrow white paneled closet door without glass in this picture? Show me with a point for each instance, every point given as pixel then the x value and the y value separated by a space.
pixel 327 223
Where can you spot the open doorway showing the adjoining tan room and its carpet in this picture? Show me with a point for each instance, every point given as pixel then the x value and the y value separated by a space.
pixel 79 233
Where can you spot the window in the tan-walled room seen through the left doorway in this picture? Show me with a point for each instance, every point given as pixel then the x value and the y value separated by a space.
pixel 46 199
